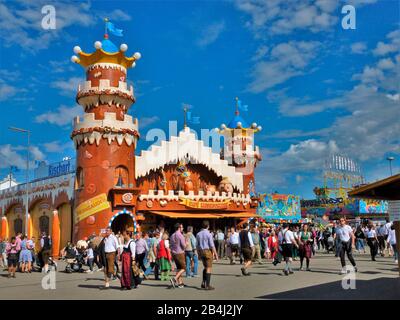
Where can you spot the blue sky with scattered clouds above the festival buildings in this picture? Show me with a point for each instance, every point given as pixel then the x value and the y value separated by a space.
pixel 315 88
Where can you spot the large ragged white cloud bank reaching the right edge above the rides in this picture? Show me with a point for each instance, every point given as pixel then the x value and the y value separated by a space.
pixel 368 132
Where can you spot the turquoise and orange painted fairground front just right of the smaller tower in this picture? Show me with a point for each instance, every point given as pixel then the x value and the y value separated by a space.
pixel 279 207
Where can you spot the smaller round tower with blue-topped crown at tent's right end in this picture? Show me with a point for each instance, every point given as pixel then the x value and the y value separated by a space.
pixel 239 149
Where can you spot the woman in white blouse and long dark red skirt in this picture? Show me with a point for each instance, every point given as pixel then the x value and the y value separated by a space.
pixel 128 280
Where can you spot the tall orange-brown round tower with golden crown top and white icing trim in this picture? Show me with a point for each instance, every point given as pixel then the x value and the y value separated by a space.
pixel 105 139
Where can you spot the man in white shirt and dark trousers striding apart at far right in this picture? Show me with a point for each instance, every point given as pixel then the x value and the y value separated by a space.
pixel 344 234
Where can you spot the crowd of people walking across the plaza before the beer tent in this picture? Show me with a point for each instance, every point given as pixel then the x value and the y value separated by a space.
pixel 132 256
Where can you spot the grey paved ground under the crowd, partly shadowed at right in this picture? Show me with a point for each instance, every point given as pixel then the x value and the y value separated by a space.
pixel 375 280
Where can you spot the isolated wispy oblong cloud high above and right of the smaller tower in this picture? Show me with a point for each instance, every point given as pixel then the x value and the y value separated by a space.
pixel 285 61
